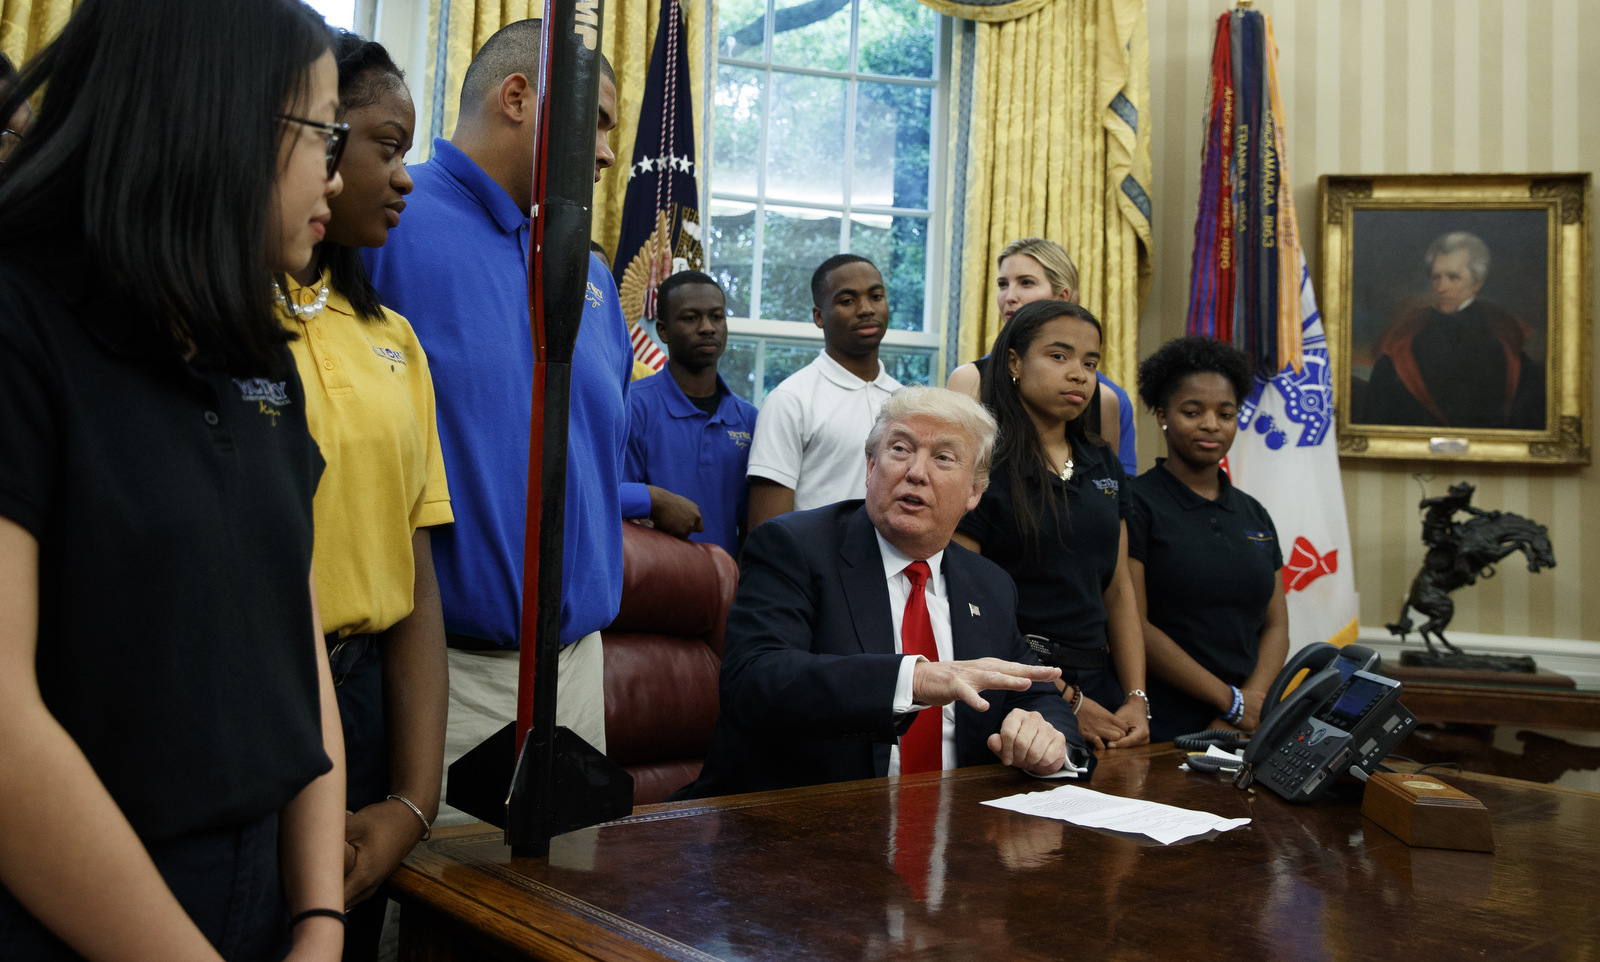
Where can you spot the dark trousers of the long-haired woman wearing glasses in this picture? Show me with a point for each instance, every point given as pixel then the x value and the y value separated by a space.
pixel 226 880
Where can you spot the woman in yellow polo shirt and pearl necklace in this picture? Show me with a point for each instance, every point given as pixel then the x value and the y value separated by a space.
pixel 370 406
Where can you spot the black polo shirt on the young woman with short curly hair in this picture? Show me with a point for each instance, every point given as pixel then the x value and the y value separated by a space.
pixel 1210 569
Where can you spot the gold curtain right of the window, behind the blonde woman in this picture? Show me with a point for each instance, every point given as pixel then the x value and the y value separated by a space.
pixel 1052 140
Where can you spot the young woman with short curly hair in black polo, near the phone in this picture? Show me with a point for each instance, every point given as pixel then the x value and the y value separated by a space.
pixel 1204 556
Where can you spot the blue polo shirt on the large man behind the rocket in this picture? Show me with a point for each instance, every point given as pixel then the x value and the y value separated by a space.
pixel 457 268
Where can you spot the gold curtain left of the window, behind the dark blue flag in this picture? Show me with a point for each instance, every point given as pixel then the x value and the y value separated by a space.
pixel 628 38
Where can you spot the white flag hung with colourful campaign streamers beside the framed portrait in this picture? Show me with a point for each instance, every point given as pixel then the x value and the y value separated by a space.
pixel 1250 287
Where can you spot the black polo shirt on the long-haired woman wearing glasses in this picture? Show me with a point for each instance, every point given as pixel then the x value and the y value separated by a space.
pixel 172 507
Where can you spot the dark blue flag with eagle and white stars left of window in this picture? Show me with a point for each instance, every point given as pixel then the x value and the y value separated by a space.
pixel 662 223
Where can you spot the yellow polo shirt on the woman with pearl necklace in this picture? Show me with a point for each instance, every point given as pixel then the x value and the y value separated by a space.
pixel 370 407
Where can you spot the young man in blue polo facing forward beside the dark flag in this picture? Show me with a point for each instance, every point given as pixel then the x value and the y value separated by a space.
pixel 687 431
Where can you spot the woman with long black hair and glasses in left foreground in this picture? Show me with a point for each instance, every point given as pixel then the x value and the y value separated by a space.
pixel 172 780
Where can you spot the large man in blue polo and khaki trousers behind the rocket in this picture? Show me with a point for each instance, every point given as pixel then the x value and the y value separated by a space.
pixel 457 270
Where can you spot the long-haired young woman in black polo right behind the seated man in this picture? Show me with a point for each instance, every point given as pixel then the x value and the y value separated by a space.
pixel 1054 518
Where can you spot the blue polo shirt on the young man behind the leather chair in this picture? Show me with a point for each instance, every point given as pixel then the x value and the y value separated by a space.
pixel 676 446
